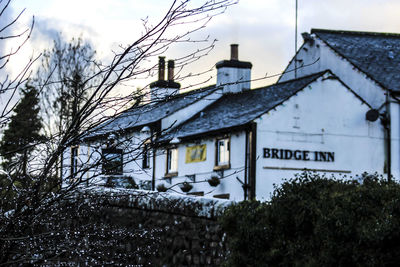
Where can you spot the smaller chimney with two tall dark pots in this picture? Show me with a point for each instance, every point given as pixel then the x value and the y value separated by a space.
pixel 162 88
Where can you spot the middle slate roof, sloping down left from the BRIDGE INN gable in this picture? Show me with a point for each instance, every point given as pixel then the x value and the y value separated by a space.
pixel 235 110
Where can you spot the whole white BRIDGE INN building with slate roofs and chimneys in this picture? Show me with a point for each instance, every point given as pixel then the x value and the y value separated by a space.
pixel 328 116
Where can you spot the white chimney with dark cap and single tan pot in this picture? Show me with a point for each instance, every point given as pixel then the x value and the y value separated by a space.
pixel 234 75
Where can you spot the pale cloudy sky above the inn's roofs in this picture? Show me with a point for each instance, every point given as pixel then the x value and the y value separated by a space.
pixel 264 29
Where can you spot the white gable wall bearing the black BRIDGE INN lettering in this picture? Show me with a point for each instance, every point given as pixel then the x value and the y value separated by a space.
pixel 325 116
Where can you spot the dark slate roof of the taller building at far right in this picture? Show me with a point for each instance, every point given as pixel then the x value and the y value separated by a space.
pixel 375 54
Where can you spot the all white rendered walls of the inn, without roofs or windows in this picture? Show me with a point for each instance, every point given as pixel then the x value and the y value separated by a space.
pixel 328 115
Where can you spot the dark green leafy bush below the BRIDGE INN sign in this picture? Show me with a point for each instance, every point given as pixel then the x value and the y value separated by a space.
pixel 314 221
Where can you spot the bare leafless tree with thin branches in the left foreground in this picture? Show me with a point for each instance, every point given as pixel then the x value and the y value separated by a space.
pixel 32 217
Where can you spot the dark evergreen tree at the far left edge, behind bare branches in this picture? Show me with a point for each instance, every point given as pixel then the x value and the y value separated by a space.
pixel 22 134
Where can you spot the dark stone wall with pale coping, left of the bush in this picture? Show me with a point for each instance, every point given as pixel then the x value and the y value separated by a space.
pixel 160 229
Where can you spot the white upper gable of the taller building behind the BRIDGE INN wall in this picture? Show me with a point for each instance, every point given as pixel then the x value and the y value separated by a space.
pixel 319 56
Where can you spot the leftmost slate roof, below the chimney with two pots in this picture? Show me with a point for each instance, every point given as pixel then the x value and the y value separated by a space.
pixel 150 113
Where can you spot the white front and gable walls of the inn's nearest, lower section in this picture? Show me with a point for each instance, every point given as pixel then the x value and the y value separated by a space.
pixel 358 145
